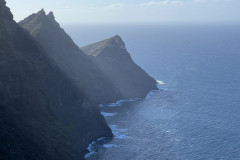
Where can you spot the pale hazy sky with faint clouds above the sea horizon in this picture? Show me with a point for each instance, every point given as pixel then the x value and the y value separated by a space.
pixel 119 11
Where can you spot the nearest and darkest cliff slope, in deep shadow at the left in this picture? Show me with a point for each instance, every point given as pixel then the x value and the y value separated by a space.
pixel 43 115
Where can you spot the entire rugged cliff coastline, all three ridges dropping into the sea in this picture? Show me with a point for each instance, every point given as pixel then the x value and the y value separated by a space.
pixel 49 88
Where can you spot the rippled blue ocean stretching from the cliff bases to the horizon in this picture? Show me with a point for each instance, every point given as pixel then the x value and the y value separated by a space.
pixel 195 115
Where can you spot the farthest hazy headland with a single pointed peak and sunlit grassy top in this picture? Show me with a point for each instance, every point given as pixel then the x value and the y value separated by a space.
pixel 114 60
